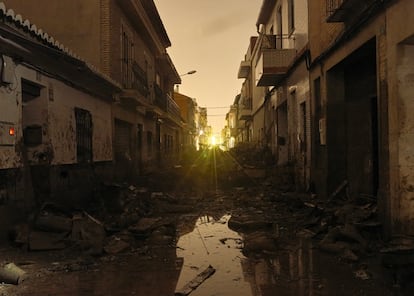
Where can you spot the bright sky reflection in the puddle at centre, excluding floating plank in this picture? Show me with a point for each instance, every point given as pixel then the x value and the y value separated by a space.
pixel 213 243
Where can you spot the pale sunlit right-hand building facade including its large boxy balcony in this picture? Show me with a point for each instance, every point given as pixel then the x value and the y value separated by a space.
pixel 277 82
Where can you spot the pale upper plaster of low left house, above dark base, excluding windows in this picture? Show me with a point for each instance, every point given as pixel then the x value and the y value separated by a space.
pixel 54 110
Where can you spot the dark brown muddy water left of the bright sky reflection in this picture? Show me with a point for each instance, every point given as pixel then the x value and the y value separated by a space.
pixel 127 276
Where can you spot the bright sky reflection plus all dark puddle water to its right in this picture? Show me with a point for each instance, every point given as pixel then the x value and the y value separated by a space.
pixel 294 269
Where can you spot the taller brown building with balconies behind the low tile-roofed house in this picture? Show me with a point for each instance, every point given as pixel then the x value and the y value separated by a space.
pixel 127 41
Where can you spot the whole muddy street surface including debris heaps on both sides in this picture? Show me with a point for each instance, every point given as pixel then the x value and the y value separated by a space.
pixel 207 227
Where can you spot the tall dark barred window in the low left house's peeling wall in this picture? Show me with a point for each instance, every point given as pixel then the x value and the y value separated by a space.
pixel 83 135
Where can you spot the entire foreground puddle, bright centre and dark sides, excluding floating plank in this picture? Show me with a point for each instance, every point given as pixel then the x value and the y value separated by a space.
pixel 295 268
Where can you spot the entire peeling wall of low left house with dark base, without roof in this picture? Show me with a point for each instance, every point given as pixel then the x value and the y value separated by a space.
pixel 48 169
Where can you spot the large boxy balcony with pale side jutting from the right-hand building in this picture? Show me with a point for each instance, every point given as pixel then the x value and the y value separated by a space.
pixel 273 66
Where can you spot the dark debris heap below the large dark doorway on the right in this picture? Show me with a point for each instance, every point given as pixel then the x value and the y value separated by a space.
pixel 347 228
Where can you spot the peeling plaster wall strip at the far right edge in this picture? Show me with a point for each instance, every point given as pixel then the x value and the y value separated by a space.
pixel 400 71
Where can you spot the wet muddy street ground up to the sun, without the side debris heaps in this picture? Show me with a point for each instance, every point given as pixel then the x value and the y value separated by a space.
pixel 245 230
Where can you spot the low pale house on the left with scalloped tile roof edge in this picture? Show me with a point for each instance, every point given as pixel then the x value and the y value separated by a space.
pixel 55 122
